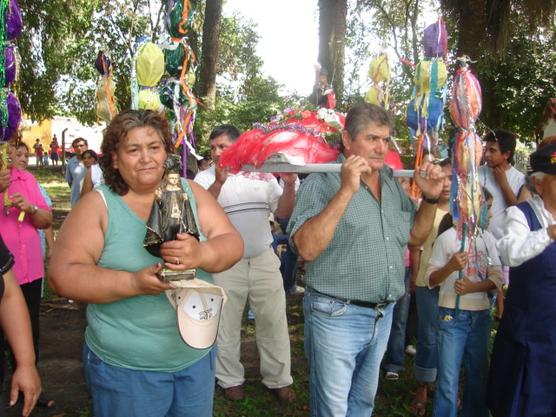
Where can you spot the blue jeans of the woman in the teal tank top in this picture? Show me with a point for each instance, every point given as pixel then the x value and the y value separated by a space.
pixel 123 392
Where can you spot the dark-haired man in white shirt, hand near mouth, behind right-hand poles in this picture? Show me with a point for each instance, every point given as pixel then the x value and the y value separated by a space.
pixel 504 182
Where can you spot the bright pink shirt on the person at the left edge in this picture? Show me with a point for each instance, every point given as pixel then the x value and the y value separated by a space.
pixel 22 239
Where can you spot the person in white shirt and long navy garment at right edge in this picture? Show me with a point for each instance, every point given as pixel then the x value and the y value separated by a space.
pixel 523 365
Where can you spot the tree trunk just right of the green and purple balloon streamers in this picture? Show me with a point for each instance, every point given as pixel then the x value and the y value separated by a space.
pixel 206 87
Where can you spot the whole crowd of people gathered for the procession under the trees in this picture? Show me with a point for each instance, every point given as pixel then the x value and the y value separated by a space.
pixel 368 245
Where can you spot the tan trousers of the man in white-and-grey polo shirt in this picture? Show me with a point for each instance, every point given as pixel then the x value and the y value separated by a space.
pixel 258 280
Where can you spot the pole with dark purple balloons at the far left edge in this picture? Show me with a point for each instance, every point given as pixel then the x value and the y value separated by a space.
pixel 11 26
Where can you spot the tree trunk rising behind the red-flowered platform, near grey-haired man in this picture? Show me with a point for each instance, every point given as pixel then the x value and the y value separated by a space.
pixel 332 40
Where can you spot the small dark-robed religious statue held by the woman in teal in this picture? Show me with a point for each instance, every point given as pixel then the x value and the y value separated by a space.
pixel 171 214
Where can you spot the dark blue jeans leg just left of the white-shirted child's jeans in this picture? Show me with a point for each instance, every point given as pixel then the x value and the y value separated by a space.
pixel 427 328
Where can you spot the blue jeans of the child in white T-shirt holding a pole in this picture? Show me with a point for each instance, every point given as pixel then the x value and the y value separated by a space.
pixel 464 339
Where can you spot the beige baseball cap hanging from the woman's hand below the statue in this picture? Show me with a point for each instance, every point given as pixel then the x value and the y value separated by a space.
pixel 198 306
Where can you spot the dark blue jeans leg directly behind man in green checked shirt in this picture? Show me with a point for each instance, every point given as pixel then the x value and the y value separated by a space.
pixel 394 358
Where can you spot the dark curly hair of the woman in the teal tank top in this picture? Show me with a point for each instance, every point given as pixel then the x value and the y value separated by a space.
pixel 115 134
